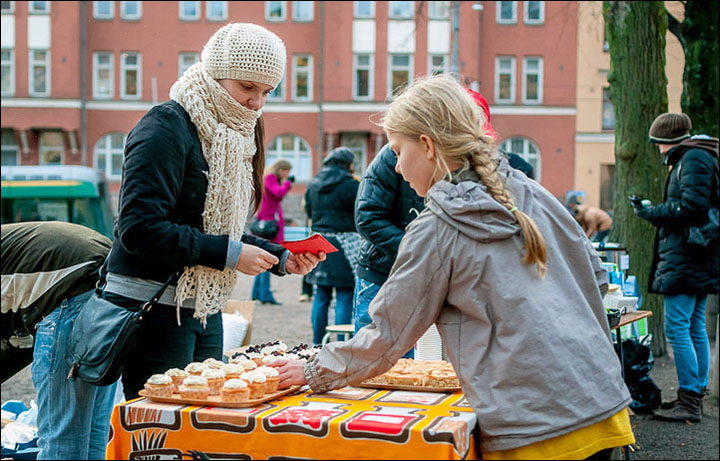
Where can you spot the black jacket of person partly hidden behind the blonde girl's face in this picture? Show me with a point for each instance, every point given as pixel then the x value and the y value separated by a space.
pixel 385 205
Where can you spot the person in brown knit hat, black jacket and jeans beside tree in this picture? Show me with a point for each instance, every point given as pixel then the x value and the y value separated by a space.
pixel 682 271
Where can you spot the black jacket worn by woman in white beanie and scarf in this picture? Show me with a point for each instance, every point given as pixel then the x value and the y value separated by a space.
pixel 159 229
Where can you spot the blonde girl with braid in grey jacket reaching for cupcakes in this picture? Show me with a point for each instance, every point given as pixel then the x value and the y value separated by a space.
pixel 511 281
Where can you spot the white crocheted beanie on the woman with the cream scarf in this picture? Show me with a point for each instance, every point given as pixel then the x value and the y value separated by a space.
pixel 244 51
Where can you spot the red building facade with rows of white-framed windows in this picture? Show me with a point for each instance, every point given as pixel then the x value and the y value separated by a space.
pixel 77 76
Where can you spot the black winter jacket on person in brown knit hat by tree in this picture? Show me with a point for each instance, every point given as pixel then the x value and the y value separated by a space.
pixel 691 189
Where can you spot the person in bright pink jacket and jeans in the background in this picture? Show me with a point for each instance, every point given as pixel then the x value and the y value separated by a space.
pixel 277 183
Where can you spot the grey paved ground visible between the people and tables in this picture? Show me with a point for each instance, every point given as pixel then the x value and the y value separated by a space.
pixel 291 323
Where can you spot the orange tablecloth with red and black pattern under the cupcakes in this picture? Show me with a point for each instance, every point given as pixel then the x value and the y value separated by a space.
pixel 349 423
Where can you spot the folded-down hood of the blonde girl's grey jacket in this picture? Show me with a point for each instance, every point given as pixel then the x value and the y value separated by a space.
pixel 466 205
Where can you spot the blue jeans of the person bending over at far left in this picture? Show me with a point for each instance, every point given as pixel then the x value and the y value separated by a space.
pixel 73 416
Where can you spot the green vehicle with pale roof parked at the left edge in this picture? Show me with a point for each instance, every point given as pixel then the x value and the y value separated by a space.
pixel 67 193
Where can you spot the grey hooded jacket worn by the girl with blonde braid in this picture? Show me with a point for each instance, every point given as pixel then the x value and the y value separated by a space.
pixel 533 355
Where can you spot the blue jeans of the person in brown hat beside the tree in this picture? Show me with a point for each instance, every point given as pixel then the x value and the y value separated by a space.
pixel 686 333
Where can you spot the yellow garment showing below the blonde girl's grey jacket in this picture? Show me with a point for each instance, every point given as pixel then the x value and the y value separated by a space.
pixel 608 433
